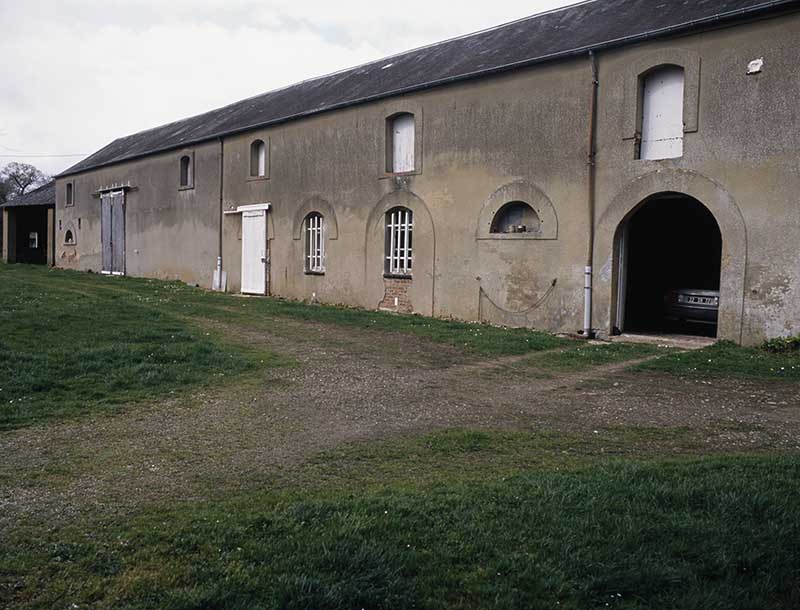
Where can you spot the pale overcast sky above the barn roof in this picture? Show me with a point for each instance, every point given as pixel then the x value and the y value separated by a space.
pixel 75 75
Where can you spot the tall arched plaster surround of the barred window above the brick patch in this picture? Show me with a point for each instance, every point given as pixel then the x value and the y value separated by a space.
pixel 421 291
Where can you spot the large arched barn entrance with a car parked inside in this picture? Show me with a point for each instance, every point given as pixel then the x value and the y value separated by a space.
pixel 670 261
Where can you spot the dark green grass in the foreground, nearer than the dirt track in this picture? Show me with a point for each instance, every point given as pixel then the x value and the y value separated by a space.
pixel 684 534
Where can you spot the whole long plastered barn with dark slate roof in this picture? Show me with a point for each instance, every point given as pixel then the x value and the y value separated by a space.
pixel 568 171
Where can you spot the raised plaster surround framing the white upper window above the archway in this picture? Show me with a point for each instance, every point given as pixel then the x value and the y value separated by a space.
pixel 636 71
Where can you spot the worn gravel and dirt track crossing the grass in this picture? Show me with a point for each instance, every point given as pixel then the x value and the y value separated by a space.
pixel 350 384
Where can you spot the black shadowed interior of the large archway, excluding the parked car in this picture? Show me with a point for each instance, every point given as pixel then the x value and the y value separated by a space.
pixel 674 242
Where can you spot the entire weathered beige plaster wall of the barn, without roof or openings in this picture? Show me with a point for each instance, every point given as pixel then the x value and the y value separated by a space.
pixel 521 135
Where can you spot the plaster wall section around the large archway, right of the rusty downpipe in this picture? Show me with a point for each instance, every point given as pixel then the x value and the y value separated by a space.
pixel 741 159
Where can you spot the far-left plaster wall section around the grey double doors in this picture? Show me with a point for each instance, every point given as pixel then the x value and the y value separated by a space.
pixel 171 233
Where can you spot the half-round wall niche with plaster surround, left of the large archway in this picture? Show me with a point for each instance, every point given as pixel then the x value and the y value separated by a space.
pixel 521 192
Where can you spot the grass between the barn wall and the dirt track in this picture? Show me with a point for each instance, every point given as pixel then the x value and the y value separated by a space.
pixel 77 343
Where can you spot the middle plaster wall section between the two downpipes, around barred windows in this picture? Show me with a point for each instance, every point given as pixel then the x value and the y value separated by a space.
pixel 528 128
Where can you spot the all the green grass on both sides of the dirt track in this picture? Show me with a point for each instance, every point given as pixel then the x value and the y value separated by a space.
pixel 455 519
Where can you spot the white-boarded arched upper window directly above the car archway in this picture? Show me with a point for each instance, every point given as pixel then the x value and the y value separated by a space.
pixel 662 113
